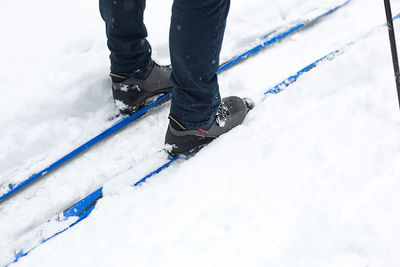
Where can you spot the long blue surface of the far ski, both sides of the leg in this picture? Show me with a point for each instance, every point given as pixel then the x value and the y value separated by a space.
pixel 124 122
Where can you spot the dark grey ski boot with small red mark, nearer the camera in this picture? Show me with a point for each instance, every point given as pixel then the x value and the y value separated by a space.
pixel 231 113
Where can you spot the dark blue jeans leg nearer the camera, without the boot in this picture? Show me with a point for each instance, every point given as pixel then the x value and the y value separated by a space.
pixel 196 33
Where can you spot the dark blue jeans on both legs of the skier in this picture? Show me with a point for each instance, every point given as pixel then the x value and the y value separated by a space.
pixel 196 34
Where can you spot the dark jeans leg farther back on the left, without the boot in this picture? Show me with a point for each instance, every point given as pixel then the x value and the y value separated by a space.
pixel 126 33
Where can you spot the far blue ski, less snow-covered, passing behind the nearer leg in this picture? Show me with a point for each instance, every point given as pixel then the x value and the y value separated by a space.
pixel 267 40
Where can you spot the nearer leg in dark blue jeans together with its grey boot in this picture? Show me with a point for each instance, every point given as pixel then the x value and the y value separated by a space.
pixel 198 115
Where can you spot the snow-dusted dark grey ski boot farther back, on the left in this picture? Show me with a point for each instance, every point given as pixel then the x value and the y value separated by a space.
pixel 132 94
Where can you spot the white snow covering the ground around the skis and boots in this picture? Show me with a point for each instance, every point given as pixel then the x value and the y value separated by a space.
pixel 310 179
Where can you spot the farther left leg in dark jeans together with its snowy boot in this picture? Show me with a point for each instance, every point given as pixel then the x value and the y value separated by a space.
pixel 136 79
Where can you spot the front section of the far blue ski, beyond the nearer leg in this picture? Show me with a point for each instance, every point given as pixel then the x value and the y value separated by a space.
pixel 276 37
